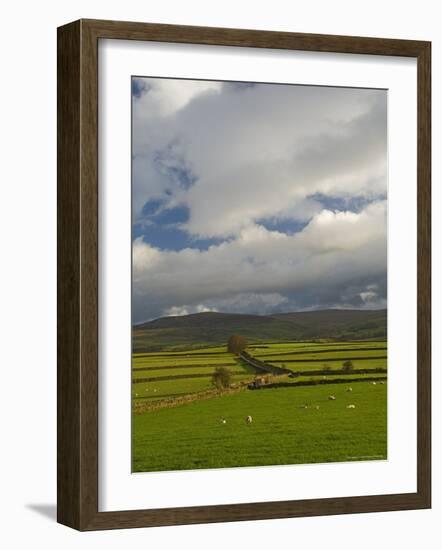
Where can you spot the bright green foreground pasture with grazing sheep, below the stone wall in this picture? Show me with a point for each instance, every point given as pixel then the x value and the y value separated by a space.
pixel 283 431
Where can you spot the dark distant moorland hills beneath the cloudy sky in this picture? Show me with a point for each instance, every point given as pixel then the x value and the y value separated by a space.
pixel 213 328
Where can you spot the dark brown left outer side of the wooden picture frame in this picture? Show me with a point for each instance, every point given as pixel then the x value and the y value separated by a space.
pixel 68 276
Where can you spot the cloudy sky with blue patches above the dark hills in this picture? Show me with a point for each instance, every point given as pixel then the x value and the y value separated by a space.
pixel 257 198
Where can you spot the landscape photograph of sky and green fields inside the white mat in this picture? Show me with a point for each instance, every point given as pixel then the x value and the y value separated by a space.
pixel 259 274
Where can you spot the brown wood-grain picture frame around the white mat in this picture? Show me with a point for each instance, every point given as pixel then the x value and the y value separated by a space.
pixel 78 274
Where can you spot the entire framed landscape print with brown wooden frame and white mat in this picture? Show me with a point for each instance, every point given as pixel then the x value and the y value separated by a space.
pixel 243 275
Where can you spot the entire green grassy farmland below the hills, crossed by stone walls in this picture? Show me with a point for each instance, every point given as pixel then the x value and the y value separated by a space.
pixel 181 421
